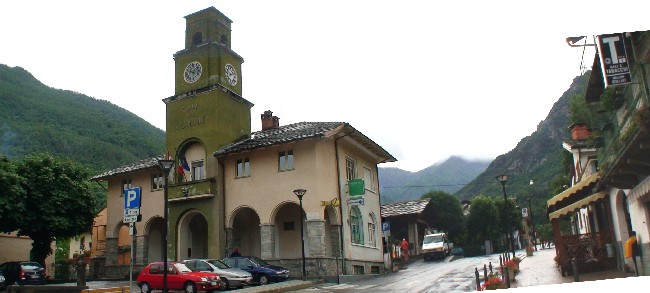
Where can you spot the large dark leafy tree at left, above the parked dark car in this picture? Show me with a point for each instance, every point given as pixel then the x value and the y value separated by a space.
pixel 58 202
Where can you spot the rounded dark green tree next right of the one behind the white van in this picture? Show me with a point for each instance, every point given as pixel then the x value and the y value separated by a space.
pixel 483 219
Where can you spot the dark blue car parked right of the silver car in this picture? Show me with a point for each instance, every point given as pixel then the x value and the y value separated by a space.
pixel 262 271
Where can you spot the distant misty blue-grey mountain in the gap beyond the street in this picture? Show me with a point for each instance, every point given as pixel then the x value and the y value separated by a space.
pixel 397 185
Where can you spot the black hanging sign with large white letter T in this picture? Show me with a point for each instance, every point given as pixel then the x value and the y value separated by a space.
pixel 613 59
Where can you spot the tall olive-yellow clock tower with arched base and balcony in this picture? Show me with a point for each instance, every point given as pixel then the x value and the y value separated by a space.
pixel 206 112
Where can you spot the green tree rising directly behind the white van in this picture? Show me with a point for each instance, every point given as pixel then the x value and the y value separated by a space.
pixel 447 213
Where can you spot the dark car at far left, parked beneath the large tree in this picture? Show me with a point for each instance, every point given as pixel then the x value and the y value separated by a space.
pixel 23 273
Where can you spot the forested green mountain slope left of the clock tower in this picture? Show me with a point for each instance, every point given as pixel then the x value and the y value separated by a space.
pixel 36 118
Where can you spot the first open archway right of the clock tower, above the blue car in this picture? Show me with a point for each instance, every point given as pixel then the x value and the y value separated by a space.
pixel 246 237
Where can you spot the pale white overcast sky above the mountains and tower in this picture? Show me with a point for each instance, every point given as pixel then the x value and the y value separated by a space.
pixel 423 79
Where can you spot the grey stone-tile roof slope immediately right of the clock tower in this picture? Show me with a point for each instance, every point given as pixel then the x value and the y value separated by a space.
pixel 280 135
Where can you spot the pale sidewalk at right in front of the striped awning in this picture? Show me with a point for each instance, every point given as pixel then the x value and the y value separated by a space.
pixel 539 269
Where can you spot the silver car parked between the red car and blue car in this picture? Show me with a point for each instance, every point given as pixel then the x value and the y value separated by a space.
pixel 230 277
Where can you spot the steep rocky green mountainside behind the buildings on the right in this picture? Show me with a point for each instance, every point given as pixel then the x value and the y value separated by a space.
pixel 538 157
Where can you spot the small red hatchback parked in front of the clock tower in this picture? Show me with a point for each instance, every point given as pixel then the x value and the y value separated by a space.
pixel 179 277
